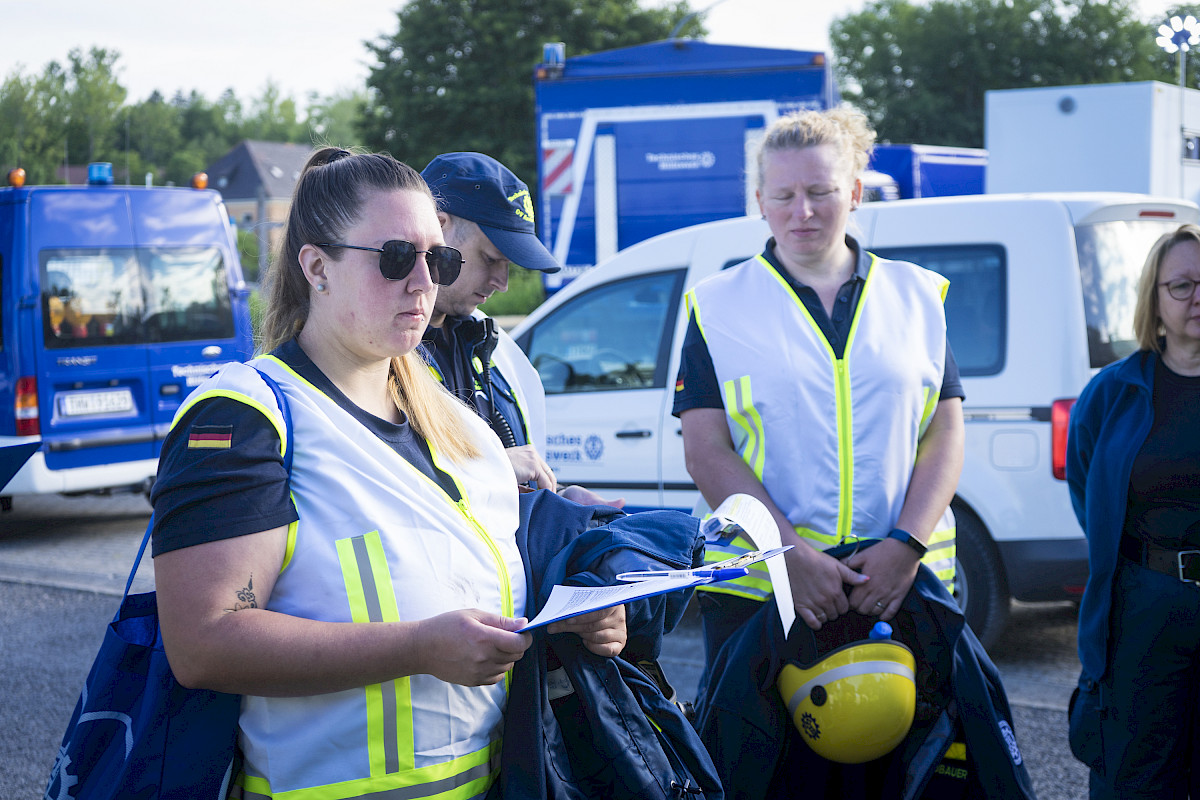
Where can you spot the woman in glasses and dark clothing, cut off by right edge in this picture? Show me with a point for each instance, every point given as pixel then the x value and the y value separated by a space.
pixel 1133 467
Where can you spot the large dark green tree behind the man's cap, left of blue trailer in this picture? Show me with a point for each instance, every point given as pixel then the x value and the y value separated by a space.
pixel 458 75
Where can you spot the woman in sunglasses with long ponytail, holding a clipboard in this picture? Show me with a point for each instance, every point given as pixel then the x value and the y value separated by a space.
pixel 365 603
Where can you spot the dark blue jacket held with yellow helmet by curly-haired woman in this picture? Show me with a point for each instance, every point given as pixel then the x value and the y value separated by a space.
pixel 759 753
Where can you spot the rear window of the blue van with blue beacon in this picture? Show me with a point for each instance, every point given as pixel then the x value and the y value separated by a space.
pixel 134 296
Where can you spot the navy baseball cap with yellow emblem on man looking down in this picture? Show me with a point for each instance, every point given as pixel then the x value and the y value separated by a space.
pixel 478 188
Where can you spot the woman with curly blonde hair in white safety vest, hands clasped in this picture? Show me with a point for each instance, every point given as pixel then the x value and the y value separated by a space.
pixel 818 377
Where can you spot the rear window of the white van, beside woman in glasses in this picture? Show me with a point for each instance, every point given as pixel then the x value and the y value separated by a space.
pixel 1112 256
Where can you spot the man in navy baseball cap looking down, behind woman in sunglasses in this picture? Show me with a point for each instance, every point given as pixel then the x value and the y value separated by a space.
pixel 487 213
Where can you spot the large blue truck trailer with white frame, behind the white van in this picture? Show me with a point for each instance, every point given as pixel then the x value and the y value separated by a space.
pixel 646 140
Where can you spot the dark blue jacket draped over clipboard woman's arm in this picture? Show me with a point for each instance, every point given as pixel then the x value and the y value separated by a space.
pixel 615 735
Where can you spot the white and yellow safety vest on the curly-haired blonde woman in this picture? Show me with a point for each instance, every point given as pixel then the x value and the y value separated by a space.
pixel 833 441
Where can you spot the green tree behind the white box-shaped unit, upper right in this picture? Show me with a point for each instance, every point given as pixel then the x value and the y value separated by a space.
pixel 920 73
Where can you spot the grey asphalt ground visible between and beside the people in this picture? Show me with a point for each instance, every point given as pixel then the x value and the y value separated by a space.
pixel 64 563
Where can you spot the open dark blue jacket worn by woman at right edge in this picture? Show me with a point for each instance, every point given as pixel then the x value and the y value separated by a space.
pixel 1109 425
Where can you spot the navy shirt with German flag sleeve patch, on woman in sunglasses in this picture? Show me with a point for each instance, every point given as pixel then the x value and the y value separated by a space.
pixel 205 495
